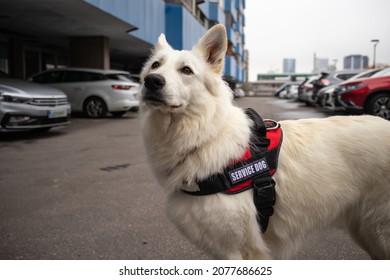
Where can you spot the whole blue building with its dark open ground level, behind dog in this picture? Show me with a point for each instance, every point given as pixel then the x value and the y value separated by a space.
pixel 40 34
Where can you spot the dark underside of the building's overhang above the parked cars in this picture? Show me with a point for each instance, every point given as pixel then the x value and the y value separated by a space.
pixel 52 22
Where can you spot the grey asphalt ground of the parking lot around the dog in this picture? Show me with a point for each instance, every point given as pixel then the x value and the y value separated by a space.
pixel 86 192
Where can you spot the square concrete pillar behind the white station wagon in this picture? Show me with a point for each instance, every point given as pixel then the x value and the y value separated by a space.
pixel 90 52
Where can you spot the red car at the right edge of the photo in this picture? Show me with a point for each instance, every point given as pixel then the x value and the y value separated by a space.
pixel 368 95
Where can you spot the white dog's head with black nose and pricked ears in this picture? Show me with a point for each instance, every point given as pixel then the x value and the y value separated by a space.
pixel 173 80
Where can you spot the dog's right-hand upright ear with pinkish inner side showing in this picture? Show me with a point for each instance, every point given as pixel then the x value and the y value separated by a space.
pixel 213 47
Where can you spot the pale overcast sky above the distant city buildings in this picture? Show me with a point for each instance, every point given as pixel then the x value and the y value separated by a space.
pixel 333 29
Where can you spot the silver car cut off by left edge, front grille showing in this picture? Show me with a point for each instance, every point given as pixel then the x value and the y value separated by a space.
pixel 28 106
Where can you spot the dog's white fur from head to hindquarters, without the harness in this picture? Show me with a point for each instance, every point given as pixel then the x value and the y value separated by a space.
pixel 330 170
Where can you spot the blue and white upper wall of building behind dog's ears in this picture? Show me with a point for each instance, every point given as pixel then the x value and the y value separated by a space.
pixel 180 22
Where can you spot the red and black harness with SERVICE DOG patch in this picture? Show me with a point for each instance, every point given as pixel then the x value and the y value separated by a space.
pixel 253 170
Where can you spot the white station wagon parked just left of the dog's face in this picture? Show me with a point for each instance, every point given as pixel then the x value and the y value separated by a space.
pixel 92 91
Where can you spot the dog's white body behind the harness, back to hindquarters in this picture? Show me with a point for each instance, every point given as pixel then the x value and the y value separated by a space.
pixel 332 169
